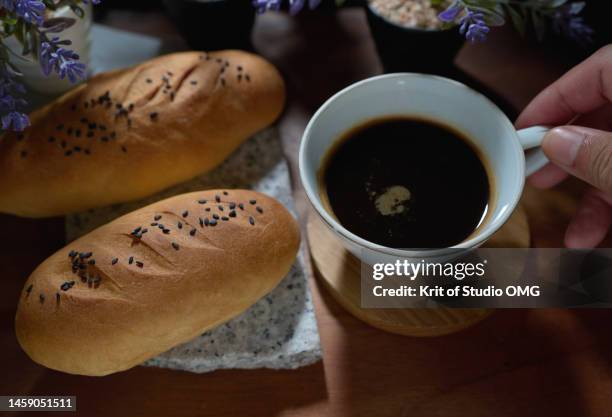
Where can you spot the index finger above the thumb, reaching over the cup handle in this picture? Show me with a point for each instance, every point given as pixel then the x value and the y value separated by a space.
pixel 583 89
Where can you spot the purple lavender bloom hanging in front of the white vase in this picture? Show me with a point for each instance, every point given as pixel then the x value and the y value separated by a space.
pixel 61 60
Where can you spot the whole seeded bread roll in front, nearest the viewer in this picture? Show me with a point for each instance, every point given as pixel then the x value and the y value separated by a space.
pixel 154 278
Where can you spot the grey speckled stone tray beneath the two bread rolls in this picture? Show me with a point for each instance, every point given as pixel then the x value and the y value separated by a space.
pixel 280 330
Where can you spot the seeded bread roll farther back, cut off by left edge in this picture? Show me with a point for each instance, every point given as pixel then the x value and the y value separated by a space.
pixel 127 134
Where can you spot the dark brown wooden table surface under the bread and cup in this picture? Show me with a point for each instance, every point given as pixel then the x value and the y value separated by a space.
pixel 516 363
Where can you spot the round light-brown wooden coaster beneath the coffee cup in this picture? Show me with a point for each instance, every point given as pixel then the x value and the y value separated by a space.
pixel 340 272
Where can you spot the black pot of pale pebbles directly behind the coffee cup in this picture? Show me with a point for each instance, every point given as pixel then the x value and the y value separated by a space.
pixel 403 49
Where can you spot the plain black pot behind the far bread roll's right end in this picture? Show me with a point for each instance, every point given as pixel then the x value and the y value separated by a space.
pixel 214 24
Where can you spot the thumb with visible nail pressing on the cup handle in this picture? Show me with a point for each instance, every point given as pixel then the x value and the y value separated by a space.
pixel 583 152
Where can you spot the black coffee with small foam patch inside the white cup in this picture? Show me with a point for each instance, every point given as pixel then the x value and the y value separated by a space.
pixel 406 183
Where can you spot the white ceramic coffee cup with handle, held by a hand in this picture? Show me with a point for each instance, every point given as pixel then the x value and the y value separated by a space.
pixel 432 98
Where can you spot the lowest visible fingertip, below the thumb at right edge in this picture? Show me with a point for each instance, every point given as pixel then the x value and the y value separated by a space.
pixel 591 222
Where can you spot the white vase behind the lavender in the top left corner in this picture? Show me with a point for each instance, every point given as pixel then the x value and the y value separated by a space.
pixel 79 34
